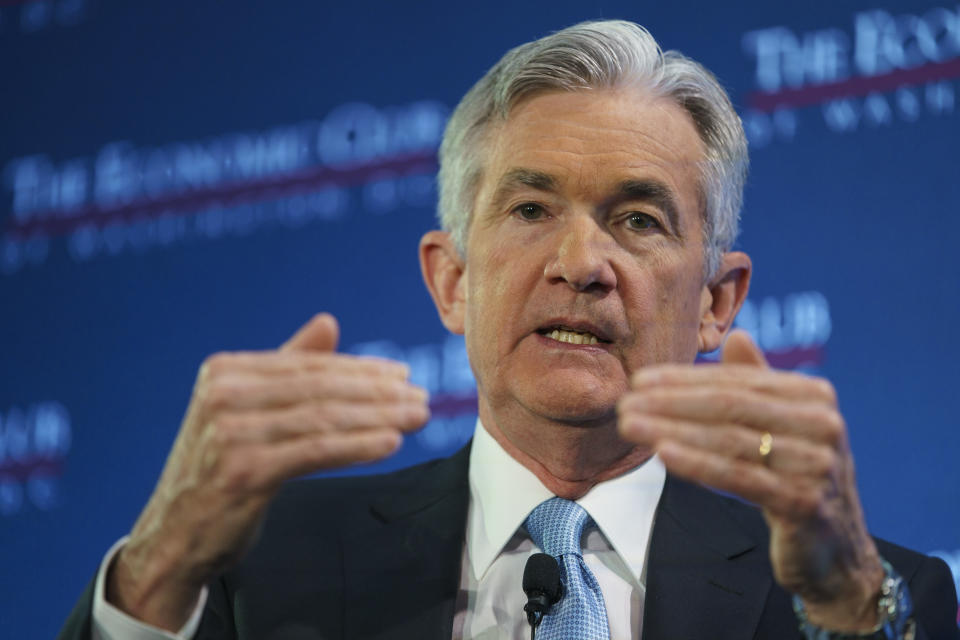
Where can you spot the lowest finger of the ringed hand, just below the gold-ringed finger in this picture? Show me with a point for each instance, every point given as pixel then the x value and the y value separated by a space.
pixel 782 496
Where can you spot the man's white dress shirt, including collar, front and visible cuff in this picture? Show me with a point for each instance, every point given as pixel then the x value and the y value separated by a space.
pixel 490 604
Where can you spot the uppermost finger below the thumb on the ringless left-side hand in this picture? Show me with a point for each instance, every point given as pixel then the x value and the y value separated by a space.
pixel 296 362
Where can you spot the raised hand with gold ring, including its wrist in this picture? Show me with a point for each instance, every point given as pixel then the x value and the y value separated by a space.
pixel 708 424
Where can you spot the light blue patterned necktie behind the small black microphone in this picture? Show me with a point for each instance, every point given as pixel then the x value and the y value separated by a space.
pixel 556 526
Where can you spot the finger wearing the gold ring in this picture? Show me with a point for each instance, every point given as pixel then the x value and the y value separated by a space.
pixel 790 455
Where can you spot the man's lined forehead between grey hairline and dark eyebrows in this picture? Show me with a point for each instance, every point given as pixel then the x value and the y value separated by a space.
pixel 592 140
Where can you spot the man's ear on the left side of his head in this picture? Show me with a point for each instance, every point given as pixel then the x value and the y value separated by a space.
pixel 444 273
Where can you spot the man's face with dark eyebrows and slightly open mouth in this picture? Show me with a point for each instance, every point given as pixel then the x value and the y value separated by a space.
pixel 586 230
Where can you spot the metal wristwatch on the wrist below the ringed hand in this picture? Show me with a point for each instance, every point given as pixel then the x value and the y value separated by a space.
pixel 894 611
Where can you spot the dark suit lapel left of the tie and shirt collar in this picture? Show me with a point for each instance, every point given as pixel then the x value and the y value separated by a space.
pixel 402 563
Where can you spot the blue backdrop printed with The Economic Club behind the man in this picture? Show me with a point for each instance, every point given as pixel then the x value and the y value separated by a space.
pixel 184 178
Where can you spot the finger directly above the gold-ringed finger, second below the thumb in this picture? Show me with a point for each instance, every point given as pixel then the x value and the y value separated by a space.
pixel 811 420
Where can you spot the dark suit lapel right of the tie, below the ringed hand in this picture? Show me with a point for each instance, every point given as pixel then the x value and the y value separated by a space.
pixel 707 576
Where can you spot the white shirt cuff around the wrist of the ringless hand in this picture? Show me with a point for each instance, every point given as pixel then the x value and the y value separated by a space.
pixel 110 623
